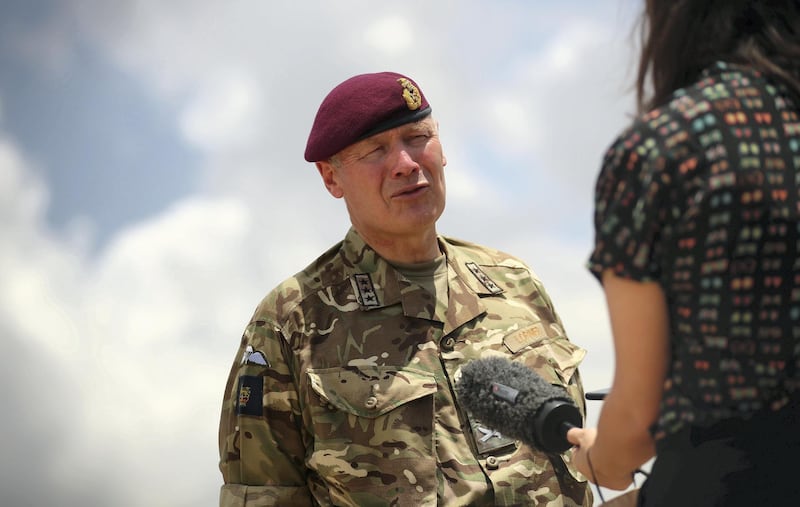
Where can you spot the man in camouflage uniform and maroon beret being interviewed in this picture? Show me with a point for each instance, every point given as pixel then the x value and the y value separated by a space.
pixel 342 392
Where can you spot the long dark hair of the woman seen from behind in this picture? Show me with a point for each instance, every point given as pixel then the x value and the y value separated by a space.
pixel 682 37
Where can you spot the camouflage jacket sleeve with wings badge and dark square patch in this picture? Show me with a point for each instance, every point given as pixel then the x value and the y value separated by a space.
pixel 260 441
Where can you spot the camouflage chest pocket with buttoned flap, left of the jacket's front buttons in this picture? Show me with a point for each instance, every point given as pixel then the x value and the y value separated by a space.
pixel 370 424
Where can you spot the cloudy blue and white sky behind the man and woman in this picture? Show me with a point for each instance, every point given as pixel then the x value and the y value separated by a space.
pixel 153 190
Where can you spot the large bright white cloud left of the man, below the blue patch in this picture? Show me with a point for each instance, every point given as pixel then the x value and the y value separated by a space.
pixel 142 338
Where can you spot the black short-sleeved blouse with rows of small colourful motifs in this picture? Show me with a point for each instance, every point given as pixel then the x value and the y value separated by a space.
pixel 701 196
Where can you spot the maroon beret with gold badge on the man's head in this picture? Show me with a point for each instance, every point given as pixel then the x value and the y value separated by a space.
pixel 362 106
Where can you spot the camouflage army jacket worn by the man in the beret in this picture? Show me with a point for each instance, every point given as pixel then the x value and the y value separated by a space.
pixel 342 392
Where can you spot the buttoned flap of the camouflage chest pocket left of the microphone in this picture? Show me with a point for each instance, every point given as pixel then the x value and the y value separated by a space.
pixel 370 391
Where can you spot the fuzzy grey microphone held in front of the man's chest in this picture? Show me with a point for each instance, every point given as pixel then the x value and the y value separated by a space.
pixel 517 402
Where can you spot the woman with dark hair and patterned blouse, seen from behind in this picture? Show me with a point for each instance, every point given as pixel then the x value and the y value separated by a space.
pixel 697 236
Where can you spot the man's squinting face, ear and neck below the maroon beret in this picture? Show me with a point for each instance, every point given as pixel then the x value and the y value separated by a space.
pixel 393 182
